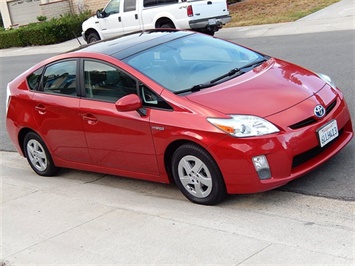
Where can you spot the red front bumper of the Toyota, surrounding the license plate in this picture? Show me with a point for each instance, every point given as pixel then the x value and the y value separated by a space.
pixel 291 153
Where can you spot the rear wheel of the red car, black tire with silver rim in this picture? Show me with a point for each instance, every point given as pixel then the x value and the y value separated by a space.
pixel 38 155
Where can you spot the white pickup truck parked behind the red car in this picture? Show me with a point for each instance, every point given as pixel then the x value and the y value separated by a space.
pixel 124 16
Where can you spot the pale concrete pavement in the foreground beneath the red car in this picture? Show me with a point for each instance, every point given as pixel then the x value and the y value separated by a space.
pixel 81 218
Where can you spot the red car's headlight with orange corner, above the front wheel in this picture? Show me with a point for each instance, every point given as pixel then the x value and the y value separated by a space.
pixel 244 125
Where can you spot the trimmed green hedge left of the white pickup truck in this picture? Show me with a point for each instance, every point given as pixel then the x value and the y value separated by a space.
pixel 53 31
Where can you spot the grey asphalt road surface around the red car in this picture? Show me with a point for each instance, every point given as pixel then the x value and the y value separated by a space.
pixel 331 53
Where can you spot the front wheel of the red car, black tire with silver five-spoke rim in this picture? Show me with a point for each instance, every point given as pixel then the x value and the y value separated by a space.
pixel 197 175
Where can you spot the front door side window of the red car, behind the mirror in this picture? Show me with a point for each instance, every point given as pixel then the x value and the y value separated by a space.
pixel 107 83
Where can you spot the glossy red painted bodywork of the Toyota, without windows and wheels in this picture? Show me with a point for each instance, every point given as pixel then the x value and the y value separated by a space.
pixel 114 138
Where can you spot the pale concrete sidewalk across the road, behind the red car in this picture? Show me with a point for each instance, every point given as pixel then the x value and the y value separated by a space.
pixel 339 16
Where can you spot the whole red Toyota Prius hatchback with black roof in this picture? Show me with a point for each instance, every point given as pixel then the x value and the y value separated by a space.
pixel 214 117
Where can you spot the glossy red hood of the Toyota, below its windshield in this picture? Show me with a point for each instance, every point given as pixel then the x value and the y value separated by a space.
pixel 268 89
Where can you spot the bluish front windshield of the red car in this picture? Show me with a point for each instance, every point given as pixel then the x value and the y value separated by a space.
pixel 189 63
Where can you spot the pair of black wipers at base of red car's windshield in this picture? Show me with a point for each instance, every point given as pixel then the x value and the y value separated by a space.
pixel 234 72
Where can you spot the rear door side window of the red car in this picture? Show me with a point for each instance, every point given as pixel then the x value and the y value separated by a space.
pixel 60 78
